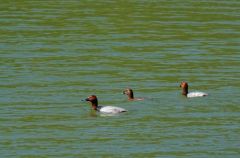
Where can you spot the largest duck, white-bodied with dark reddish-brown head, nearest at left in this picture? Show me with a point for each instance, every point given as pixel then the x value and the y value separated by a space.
pixel 103 109
